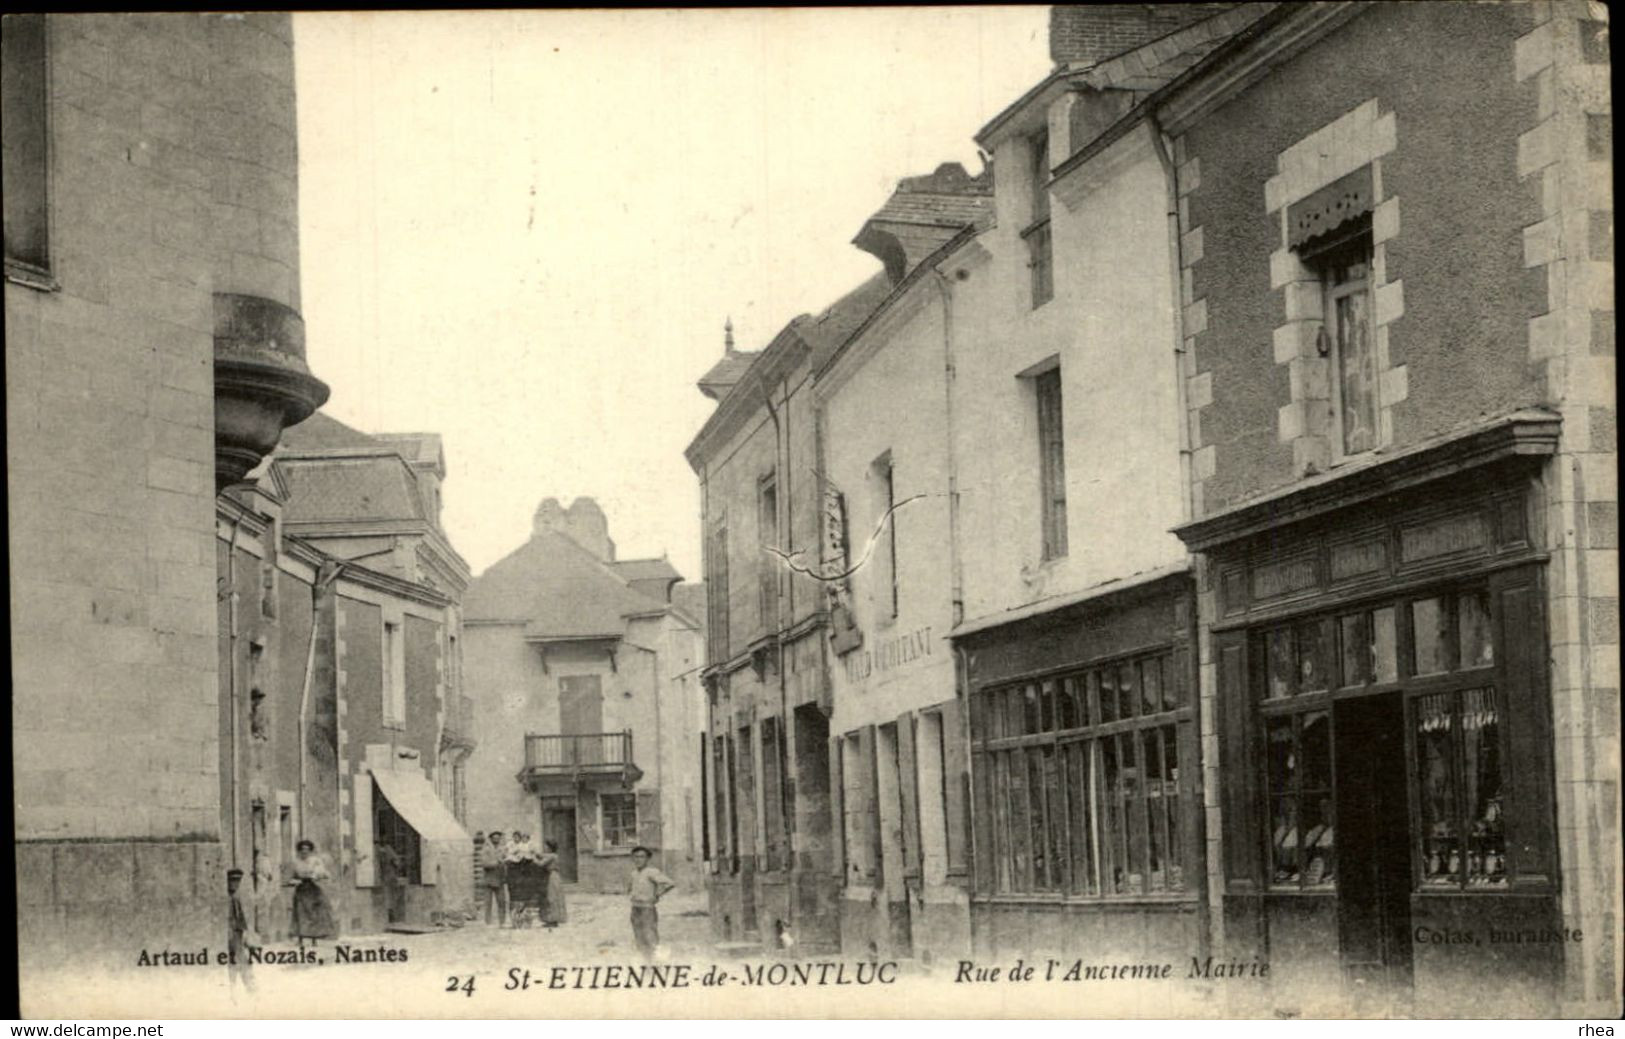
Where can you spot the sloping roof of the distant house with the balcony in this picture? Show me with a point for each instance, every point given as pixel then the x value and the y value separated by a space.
pixel 558 589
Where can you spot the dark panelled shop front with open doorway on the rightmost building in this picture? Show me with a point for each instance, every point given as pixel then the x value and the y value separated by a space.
pixel 1385 742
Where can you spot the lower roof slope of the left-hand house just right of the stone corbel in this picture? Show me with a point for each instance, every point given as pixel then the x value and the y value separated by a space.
pixel 365 487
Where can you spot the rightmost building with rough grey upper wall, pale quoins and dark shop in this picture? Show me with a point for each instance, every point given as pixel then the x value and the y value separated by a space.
pixel 1400 323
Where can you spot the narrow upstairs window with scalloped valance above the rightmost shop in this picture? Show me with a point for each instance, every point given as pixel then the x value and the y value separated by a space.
pixel 1345 266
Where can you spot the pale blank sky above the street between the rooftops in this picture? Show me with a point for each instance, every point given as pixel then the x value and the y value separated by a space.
pixel 526 230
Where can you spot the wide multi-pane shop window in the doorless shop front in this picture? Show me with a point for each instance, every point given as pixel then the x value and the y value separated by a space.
pixel 1080 781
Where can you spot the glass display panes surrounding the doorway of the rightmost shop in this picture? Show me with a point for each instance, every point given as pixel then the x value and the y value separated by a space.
pixel 1439 651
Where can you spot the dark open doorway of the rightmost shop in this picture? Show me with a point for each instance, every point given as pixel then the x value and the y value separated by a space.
pixel 1374 838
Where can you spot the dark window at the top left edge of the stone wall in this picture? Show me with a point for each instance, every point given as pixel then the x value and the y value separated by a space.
pixel 24 116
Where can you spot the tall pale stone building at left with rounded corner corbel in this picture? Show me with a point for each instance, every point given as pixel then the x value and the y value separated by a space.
pixel 154 354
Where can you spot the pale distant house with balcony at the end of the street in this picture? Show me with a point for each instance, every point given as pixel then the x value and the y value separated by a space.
pixel 581 669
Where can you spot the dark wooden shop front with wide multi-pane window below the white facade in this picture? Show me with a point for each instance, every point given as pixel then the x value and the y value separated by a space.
pixel 1086 780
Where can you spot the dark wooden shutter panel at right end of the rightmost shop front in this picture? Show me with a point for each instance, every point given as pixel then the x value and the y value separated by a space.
pixel 1527 742
